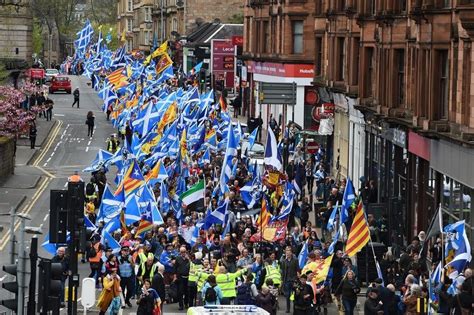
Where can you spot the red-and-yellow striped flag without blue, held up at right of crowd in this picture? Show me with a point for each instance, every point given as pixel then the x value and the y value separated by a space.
pixel 359 235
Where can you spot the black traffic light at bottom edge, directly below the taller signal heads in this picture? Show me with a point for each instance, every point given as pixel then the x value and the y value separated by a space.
pixel 50 286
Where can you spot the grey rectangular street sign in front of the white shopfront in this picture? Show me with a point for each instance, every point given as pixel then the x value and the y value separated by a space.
pixel 278 93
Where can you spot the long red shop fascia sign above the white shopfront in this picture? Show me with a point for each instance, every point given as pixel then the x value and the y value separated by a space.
pixel 281 70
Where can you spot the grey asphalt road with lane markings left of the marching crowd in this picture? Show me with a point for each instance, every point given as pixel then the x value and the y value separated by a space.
pixel 66 150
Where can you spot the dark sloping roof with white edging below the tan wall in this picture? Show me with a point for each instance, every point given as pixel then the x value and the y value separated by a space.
pixel 208 31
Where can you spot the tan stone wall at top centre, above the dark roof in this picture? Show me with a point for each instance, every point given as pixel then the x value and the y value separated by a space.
pixel 209 10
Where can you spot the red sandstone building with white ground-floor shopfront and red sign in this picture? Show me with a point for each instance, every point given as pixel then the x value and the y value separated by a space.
pixel 278 48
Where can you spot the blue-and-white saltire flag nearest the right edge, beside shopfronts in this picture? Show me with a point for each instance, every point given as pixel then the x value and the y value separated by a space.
pixel 457 251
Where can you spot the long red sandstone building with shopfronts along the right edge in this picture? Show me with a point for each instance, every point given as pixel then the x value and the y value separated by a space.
pixel 399 73
